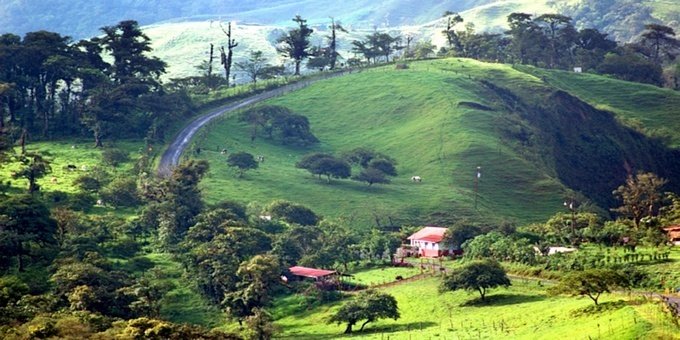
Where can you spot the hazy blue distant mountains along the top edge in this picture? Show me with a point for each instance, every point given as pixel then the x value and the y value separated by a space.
pixel 79 19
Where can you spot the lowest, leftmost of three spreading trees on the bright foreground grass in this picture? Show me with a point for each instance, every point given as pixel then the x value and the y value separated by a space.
pixel 368 305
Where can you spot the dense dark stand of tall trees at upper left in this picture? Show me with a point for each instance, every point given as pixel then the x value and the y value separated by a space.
pixel 103 87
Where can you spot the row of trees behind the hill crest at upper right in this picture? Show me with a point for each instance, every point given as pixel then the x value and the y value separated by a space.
pixel 548 41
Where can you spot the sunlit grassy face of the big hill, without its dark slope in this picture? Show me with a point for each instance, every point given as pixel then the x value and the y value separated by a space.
pixel 413 116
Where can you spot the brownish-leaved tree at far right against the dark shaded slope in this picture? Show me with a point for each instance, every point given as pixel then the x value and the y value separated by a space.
pixel 641 196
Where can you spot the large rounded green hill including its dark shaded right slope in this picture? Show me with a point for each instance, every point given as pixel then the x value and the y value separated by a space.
pixel 440 120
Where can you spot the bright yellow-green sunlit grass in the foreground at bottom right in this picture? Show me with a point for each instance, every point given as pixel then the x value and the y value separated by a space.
pixel 523 311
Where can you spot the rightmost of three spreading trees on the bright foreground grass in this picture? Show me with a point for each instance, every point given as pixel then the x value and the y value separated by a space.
pixel 591 283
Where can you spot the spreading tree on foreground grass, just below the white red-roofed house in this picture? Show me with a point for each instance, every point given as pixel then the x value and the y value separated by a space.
pixel 477 275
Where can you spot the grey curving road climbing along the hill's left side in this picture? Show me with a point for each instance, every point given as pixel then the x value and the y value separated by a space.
pixel 172 154
